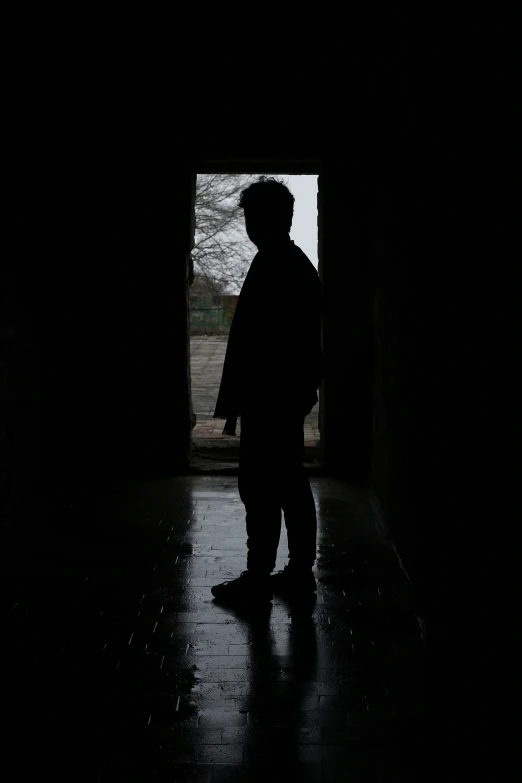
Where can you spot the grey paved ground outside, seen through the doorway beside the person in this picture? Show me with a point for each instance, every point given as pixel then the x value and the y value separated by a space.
pixel 207 358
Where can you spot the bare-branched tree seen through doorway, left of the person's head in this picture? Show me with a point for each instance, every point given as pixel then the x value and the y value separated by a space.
pixel 222 251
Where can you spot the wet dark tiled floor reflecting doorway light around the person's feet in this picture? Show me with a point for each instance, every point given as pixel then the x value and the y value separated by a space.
pixel 123 667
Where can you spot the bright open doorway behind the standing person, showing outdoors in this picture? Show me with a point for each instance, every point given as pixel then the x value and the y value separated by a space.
pixel 220 258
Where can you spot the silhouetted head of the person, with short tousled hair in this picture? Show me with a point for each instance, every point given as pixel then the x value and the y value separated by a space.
pixel 269 209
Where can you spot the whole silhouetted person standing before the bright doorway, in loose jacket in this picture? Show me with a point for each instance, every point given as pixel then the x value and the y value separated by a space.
pixel 272 371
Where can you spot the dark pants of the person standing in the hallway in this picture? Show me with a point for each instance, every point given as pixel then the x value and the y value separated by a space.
pixel 272 479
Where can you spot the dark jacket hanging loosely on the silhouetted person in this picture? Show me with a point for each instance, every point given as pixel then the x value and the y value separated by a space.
pixel 273 362
